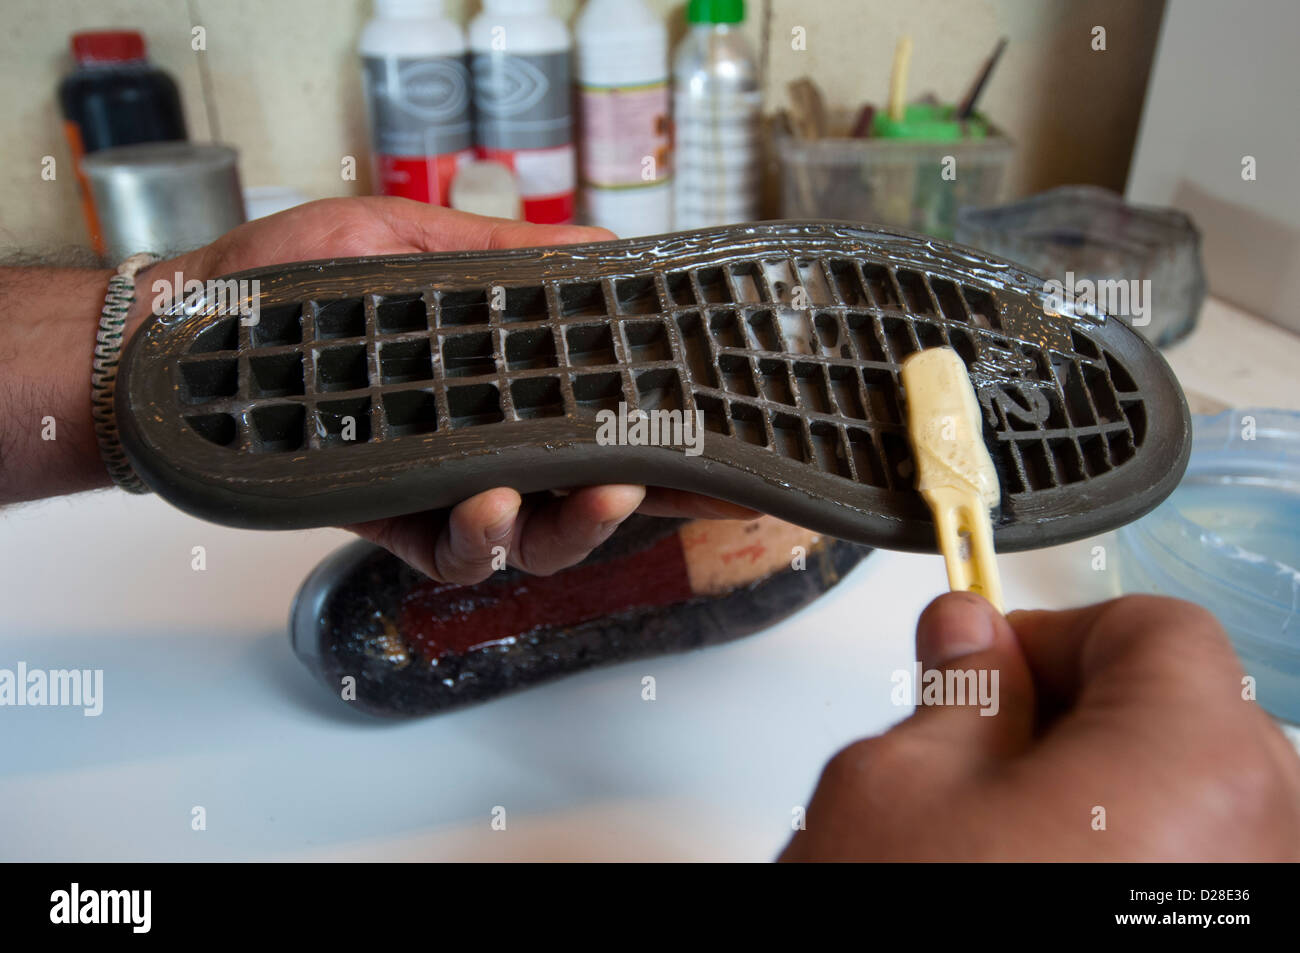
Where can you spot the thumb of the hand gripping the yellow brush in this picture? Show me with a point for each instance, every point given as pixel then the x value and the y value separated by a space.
pixel 976 698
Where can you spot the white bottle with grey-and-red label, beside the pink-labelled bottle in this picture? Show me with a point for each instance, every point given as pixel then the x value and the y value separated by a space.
pixel 523 94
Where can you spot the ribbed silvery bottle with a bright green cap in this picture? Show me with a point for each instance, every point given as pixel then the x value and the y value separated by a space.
pixel 717 109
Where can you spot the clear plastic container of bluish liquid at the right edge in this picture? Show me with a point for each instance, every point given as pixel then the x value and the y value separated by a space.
pixel 1229 539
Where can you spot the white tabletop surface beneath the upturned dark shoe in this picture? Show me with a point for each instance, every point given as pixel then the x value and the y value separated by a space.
pixel 205 704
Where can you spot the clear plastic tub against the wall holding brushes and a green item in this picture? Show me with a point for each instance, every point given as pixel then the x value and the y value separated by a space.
pixel 892 183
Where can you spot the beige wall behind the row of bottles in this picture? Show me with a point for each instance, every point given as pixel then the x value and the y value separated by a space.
pixel 284 86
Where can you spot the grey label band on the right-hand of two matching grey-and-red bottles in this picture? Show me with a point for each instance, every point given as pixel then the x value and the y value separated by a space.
pixel 522 102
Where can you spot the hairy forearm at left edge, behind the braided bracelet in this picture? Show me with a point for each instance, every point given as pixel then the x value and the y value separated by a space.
pixel 49 318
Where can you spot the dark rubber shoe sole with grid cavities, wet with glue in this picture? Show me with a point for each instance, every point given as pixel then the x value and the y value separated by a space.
pixel 460 372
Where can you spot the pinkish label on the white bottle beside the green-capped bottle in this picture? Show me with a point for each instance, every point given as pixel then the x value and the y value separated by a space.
pixel 626 136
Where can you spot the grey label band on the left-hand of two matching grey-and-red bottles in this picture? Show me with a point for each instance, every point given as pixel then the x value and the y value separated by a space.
pixel 419 107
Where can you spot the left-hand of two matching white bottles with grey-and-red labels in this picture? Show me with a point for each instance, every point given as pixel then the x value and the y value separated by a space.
pixel 418 97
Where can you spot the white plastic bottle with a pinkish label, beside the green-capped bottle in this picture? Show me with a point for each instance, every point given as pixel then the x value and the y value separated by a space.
pixel 625 125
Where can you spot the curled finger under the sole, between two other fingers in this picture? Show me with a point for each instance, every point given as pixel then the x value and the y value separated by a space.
pixel 565 531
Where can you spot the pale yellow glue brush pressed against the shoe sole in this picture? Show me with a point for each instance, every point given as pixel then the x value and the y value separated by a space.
pixel 955 473
